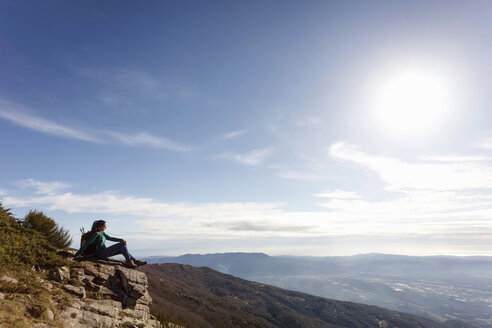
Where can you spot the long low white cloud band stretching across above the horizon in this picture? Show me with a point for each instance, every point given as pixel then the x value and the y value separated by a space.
pixel 415 213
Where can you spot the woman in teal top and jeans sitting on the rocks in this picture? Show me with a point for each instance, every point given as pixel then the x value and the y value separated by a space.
pixel 98 236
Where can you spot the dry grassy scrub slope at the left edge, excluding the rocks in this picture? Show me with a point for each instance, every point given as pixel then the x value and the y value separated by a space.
pixel 24 254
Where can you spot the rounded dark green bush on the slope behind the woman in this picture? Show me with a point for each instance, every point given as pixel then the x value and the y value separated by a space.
pixel 57 236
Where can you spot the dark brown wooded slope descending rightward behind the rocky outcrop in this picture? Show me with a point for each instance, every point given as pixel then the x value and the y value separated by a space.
pixel 202 297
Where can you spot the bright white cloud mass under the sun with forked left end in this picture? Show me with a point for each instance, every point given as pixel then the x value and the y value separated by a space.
pixel 434 195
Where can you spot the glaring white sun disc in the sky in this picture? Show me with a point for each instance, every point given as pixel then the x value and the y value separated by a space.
pixel 412 102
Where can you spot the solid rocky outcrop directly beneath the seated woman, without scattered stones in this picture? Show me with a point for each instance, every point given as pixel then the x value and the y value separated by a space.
pixel 106 295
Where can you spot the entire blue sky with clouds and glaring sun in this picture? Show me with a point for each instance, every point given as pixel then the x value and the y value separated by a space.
pixel 316 128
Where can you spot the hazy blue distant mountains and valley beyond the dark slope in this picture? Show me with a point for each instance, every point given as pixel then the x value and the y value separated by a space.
pixel 440 288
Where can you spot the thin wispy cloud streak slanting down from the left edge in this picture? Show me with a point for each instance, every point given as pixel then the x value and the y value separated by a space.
pixel 20 116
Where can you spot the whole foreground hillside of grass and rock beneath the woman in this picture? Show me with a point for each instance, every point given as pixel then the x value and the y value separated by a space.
pixel 42 287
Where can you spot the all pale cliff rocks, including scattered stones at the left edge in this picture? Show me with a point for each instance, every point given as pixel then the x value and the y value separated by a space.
pixel 92 293
